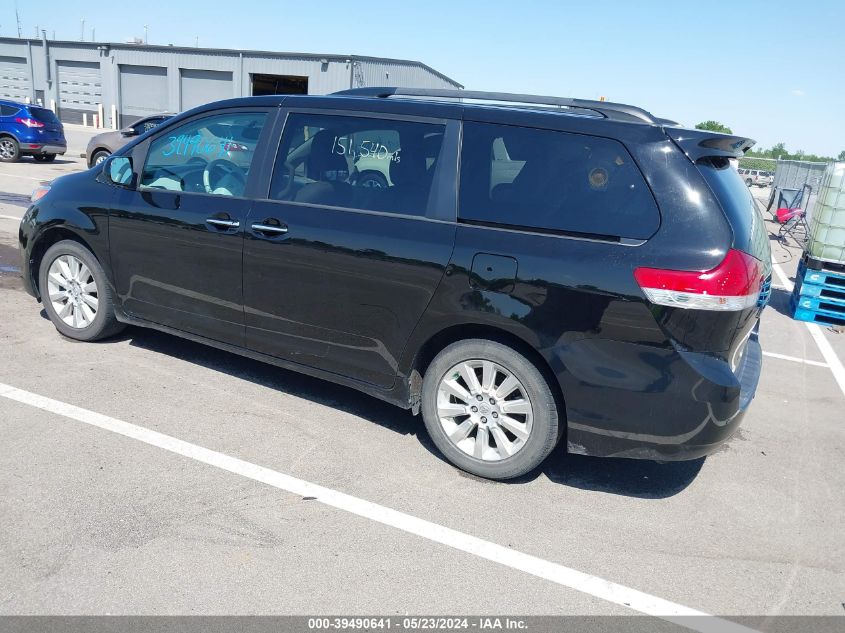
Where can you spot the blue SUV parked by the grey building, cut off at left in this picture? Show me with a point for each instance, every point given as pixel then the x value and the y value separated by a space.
pixel 29 130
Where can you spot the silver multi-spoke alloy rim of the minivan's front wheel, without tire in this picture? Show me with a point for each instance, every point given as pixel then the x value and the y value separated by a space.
pixel 72 291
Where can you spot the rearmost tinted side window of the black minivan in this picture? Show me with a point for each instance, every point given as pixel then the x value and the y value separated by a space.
pixel 553 181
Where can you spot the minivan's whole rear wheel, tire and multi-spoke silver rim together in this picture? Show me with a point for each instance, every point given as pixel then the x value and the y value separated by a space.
pixel 489 409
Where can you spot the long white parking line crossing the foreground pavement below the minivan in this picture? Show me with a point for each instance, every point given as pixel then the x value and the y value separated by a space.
pixel 553 572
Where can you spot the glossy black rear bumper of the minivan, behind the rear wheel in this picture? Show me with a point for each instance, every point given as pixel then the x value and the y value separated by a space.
pixel 656 404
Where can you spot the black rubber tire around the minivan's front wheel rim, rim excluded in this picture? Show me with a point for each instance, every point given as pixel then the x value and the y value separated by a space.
pixel 105 323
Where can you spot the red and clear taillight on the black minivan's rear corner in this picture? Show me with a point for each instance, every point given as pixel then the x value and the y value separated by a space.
pixel 734 284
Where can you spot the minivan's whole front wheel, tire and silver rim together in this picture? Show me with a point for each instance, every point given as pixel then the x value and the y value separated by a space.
pixel 76 294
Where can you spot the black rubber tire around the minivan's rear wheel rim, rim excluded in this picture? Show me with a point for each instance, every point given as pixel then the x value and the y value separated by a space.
pixel 546 428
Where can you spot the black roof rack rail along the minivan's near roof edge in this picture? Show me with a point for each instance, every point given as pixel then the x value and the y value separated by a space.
pixel 608 109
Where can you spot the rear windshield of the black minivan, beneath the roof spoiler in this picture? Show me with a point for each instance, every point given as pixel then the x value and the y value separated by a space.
pixel 749 230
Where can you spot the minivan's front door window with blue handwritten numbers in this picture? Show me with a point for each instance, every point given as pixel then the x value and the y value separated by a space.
pixel 209 155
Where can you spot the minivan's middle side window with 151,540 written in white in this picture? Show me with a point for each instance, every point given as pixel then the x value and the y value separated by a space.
pixel 357 163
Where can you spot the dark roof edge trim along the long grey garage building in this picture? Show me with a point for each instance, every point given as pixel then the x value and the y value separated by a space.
pixel 246 52
